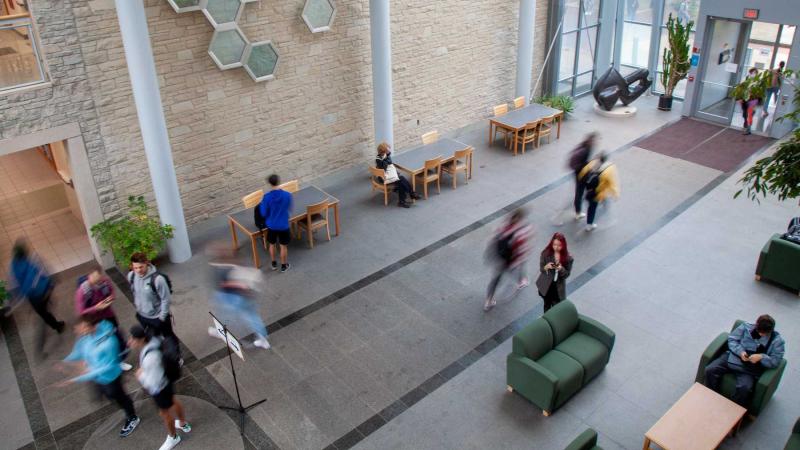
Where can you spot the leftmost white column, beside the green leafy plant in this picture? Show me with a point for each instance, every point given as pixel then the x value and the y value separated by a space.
pixel 142 71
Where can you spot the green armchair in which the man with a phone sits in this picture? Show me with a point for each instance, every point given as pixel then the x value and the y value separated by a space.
pixel 765 386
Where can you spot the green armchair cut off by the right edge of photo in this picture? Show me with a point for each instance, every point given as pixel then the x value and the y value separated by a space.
pixel 779 262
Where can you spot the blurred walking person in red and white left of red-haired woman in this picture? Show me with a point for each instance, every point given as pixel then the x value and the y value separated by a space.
pixel 511 248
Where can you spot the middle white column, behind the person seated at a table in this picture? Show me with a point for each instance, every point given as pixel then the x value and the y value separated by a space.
pixel 381 43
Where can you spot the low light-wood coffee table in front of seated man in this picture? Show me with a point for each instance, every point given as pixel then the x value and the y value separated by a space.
pixel 699 420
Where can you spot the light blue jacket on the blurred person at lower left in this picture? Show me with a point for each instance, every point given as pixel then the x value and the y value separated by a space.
pixel 100 352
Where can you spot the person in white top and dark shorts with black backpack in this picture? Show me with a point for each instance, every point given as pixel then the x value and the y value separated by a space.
pixel 157 375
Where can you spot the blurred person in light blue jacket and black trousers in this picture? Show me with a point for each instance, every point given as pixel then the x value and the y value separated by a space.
pixel 97 350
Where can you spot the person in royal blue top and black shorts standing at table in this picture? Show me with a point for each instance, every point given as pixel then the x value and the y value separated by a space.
pixel 275 208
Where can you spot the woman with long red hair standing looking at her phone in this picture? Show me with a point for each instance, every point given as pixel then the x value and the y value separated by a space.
pixel 555 264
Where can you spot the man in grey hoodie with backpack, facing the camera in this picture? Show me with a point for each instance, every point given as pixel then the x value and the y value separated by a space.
pixel 152 295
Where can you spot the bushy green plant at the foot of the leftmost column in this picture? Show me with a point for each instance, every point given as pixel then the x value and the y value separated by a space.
pixel 137 231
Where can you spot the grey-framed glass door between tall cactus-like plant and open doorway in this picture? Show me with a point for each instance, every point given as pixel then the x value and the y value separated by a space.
pixel 722 54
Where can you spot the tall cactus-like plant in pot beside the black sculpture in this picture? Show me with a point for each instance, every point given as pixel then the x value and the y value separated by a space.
pixel 675 60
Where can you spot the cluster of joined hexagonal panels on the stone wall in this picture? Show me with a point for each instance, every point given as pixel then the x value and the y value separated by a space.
pixel 229 47
